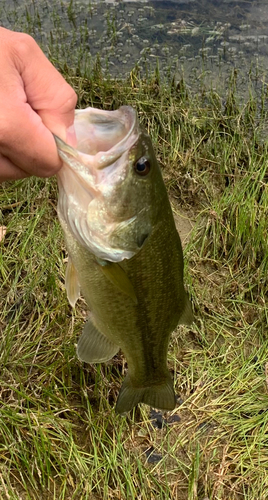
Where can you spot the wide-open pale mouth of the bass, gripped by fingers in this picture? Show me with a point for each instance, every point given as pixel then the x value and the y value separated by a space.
pixel 103 139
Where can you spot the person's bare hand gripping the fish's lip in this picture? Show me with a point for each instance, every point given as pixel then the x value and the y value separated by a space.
pixel 35 101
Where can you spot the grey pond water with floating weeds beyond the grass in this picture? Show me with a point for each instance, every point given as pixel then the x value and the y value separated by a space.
pixel 199 40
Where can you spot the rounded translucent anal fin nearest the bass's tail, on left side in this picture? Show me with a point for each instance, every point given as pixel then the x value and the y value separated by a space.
pixel 93 346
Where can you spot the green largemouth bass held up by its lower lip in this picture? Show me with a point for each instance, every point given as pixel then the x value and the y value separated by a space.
pixel 124 252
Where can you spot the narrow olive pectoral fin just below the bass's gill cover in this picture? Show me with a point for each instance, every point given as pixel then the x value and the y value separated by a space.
pixel 114 273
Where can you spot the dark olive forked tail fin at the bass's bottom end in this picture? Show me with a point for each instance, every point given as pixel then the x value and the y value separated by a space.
pixel 159 396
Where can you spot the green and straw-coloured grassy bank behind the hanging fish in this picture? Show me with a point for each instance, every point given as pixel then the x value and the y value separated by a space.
pixel 59 436
